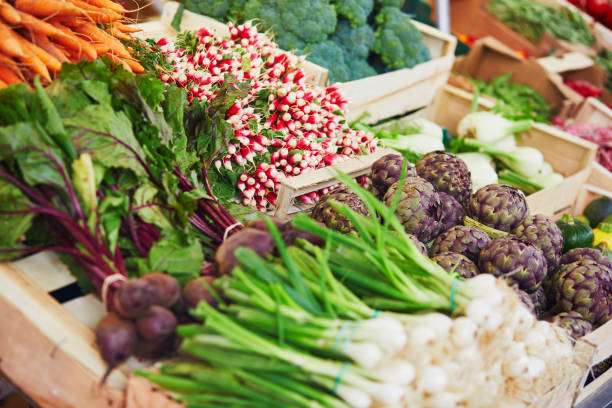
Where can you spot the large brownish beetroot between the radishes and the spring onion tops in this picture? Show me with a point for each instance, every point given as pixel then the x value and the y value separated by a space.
pixel 259 241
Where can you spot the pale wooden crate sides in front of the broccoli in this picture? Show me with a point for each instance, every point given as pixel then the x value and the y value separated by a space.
pixel 397 92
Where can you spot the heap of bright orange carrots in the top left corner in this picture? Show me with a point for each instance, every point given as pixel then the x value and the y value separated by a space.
pixel 37 36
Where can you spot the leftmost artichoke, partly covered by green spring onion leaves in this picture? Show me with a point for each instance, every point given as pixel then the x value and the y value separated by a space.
pixel 324 213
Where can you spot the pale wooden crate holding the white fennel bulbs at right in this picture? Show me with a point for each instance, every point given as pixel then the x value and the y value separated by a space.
pixel 569 155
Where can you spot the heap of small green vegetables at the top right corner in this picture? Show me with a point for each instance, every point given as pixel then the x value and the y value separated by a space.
pixel 532 19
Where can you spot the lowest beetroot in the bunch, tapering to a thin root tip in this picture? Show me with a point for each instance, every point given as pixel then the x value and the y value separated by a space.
pixel 116 338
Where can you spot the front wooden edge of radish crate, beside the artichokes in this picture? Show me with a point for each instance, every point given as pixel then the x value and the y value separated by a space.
pixel 314 180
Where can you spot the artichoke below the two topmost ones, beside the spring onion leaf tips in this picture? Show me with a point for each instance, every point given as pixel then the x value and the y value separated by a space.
pixel 419 208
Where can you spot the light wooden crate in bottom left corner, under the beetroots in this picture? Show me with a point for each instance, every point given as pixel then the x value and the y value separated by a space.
pixel 47 349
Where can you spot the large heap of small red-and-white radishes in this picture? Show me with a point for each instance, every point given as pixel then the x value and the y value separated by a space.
pixel 299 125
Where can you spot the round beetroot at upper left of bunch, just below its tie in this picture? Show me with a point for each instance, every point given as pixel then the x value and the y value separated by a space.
pixel 133 298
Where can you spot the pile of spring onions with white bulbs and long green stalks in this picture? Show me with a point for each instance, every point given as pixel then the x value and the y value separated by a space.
pixel 330 323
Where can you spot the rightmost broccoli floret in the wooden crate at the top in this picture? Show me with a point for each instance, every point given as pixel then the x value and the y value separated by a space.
pixel 398 42
